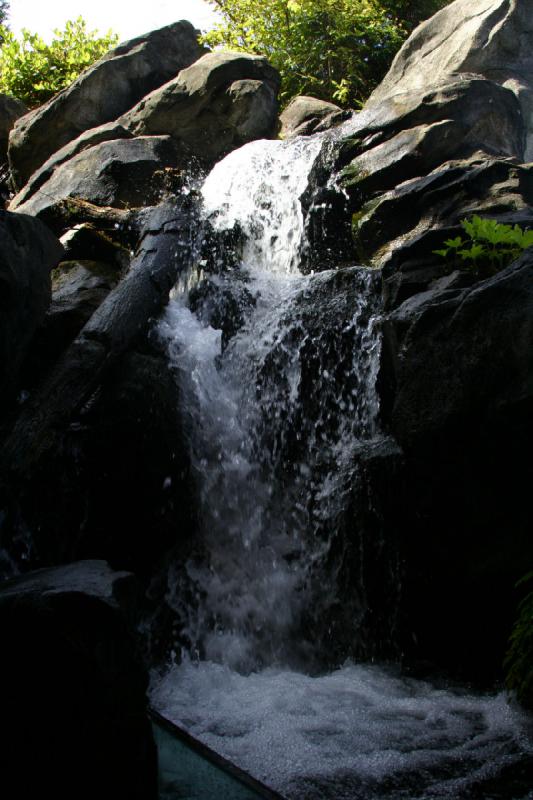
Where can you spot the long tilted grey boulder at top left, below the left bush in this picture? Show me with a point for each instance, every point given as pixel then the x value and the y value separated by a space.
pixel 101 94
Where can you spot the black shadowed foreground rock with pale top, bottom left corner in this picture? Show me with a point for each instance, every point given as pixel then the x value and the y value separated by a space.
pixel 72 688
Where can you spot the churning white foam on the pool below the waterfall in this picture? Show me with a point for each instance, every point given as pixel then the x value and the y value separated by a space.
pixel 359 732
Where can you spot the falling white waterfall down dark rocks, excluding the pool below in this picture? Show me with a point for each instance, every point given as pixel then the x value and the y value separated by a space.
pixel 274 418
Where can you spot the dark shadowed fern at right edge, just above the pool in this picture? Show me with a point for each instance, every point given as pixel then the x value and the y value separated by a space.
pixel 519 658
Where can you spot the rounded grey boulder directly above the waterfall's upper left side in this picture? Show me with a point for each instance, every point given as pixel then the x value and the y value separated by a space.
pixel 219 103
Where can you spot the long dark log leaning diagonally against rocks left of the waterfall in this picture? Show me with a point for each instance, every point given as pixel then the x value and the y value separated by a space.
pixel 166 248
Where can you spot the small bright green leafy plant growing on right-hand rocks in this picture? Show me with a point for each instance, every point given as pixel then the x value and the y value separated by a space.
pixel 490 245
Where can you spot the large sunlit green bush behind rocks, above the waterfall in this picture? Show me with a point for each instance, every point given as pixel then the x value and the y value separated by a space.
pixel 335 50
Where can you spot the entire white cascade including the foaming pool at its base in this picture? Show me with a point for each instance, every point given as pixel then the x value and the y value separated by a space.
pixel 277 372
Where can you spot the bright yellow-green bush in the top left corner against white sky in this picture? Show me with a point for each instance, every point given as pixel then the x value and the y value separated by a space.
pixel 34 71
